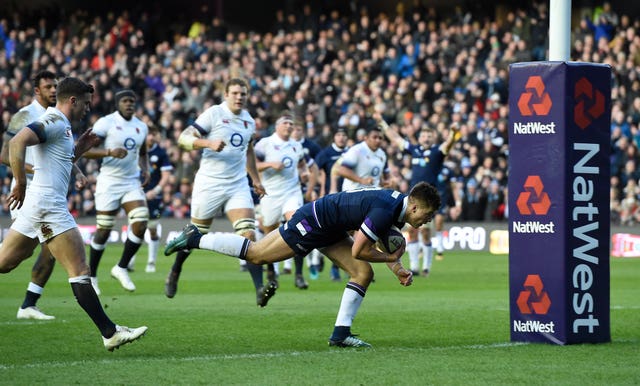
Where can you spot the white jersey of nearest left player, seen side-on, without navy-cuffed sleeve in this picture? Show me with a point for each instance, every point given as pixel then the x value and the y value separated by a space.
pixel 53 157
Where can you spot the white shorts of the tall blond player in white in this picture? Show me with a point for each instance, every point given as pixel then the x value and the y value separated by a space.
pixel 210 197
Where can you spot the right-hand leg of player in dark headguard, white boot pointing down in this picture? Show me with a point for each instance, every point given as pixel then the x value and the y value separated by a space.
pixel 137 216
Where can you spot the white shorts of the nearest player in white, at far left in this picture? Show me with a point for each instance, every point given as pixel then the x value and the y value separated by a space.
pixel 43 218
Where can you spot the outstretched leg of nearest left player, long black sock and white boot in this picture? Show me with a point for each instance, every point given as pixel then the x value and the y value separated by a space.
pixel 68 247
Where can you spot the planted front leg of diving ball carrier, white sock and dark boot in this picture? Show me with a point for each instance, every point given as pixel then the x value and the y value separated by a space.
pixel 361 274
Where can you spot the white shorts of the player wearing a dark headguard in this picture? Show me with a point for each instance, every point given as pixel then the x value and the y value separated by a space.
pixel 112 193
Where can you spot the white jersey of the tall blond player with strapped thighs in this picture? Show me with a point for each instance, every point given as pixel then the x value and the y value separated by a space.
pixel 218 122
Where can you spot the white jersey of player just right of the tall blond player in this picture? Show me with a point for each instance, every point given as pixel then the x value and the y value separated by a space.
pixel 290 152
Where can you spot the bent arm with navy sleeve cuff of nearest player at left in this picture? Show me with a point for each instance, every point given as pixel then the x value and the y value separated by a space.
pixel 17 149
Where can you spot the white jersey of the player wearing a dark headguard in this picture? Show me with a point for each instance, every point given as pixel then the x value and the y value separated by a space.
pixel 118 132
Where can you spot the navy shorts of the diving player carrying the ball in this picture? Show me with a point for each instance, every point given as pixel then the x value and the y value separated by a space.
pixel 303 233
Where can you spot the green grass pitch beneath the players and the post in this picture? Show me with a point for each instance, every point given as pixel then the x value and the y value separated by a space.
pixel 451 328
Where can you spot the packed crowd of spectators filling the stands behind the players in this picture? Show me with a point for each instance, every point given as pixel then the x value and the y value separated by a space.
pixel 422 66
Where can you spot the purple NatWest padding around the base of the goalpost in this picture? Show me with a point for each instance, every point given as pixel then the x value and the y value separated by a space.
pixel 559 123
